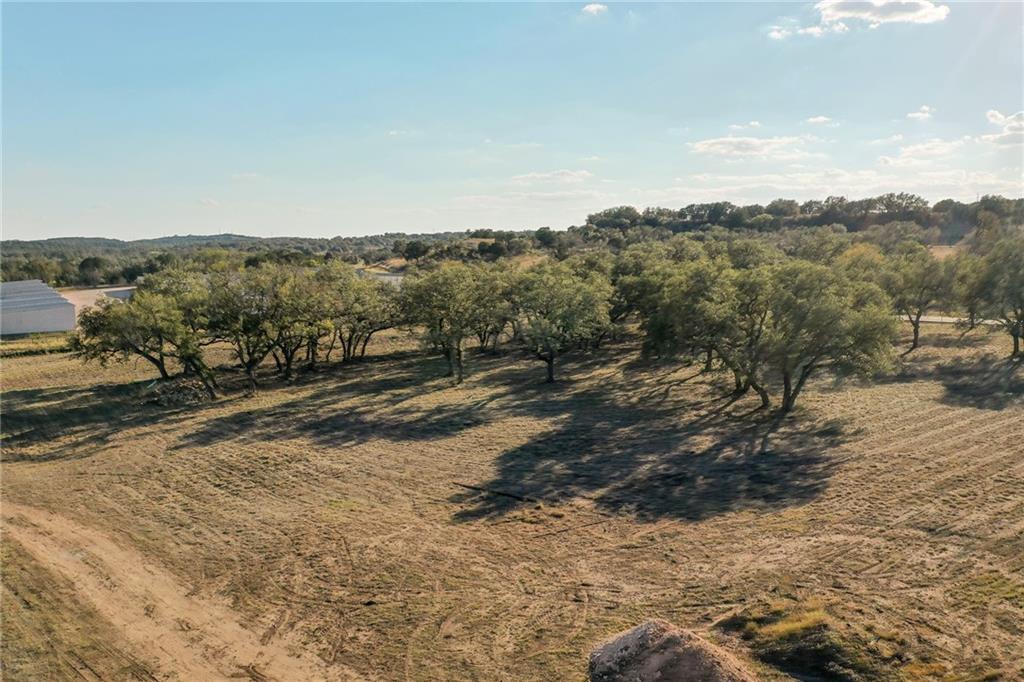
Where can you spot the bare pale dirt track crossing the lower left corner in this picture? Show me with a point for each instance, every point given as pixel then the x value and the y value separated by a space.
pixel 192 638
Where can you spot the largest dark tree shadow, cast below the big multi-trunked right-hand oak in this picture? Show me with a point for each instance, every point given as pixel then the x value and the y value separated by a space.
pixel 644 461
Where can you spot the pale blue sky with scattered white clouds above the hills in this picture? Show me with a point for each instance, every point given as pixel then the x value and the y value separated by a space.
pixel 142 120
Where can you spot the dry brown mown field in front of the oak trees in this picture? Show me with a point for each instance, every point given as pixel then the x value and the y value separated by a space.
pixel 375 523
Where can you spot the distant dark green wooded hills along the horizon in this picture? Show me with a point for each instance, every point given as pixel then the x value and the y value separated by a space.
pixel 84 262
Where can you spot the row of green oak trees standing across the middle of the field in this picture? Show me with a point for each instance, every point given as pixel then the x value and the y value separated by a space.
pixel 770 314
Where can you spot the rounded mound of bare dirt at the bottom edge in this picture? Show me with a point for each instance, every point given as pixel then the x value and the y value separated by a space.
pixel 657 651
